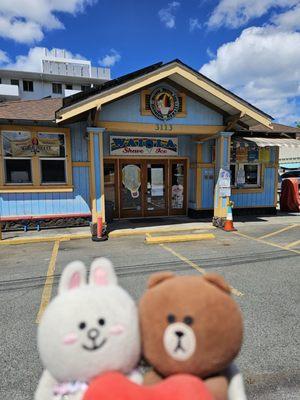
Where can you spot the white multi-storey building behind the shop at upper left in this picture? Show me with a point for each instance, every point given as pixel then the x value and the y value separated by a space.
pixel 59 76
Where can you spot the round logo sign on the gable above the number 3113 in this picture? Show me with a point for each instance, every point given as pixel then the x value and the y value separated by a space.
pixel 164 103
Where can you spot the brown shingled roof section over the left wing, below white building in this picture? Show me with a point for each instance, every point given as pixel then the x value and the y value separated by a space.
pixel 30 110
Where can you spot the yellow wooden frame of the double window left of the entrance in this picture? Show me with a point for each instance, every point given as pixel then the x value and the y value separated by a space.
pixel 36 173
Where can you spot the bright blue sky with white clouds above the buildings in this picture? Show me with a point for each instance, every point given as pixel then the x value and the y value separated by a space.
pixel 251 47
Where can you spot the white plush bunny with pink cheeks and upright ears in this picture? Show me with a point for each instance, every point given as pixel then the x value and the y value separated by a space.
pixel 86 330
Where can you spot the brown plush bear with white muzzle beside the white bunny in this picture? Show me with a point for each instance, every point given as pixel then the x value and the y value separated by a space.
pixel 190 324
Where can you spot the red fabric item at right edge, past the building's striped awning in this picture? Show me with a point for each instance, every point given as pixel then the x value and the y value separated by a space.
pixel 290 199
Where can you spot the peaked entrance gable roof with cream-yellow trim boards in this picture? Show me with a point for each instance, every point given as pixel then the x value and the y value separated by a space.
pixel 174 70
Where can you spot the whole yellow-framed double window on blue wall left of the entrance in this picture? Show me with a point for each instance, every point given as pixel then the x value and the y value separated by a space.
pixel 35 158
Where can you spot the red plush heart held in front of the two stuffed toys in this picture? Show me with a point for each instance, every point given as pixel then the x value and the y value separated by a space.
pixel 115 386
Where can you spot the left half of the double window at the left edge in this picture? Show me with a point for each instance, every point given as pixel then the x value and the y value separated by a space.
pixel 17 161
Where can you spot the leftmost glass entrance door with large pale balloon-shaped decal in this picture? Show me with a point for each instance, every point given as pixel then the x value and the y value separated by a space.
pixel 131 191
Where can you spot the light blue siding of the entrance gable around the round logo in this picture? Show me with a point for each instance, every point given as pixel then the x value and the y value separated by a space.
pixel 128 110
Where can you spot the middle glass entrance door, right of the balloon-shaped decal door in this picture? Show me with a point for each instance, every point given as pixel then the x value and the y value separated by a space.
pixel 156 198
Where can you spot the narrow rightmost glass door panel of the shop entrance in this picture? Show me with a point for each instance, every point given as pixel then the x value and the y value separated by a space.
pixel 178 187
